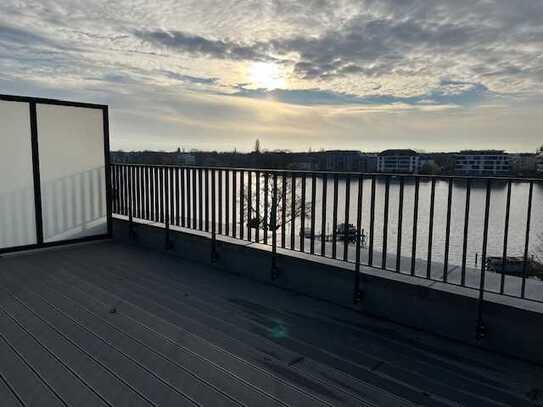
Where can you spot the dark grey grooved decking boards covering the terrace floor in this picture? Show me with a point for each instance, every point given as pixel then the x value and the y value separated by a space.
pixel 108 324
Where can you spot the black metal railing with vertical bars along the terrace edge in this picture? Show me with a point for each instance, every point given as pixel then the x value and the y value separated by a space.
pixel 431 227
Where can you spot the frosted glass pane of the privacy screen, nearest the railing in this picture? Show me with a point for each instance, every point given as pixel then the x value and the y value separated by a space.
pixel 72 171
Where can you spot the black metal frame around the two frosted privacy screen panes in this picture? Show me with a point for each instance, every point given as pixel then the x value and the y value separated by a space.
pixel 34 134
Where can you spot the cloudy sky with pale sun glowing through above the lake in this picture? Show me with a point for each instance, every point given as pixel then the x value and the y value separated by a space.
pixel 434 75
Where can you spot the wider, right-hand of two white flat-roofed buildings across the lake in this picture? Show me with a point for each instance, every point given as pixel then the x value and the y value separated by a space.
pixel 483 163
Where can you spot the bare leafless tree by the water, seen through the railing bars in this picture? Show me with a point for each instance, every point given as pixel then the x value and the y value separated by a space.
pixel 265 208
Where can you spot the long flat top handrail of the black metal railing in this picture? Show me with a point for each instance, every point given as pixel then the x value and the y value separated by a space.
pixel 340 173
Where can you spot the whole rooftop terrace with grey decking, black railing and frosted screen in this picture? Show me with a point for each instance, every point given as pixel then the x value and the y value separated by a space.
pixel 256 287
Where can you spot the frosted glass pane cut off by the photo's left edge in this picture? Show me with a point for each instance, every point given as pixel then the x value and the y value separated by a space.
pixel 17 216
